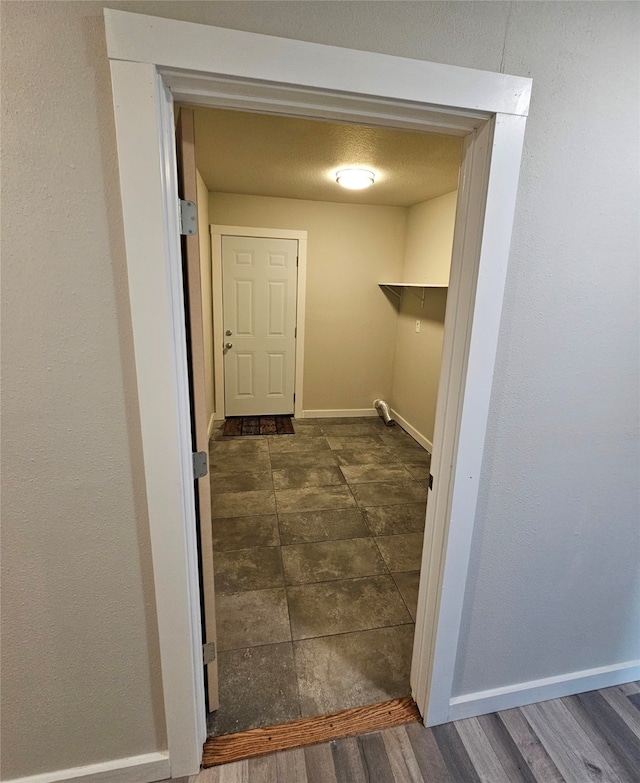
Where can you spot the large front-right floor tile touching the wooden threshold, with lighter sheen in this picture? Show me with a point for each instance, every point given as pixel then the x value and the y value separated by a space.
pixel 354 669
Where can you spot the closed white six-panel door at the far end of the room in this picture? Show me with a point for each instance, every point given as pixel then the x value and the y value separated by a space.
pixel 259 278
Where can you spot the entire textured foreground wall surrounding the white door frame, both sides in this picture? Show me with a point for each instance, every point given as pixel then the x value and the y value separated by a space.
pixel 554 568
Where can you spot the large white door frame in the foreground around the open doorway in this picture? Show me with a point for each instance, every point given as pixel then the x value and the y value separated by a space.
pixel 156 60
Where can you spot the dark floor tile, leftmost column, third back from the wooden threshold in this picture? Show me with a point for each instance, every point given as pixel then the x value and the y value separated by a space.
pixel 248 569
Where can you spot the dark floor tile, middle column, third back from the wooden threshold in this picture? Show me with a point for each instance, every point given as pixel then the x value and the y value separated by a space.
pixel 329 560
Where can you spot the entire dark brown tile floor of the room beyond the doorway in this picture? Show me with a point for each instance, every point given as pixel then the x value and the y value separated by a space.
pixel 317 547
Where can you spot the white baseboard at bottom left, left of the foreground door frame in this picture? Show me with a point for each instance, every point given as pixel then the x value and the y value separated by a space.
pixel 147 768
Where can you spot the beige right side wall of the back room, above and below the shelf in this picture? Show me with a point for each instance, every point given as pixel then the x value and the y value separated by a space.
pixel 427 259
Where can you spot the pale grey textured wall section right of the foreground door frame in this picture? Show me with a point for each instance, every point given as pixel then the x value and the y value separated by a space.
pixel 554 581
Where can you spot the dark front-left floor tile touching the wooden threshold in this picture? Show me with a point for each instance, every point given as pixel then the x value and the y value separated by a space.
pixel 257 688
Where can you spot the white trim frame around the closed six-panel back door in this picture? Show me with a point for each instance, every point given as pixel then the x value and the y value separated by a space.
pixel 217 232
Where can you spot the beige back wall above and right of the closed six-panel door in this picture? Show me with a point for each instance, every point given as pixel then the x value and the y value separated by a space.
pixel 350 323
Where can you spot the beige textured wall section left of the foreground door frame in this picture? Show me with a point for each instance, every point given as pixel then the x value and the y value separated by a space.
pixel 80 662
